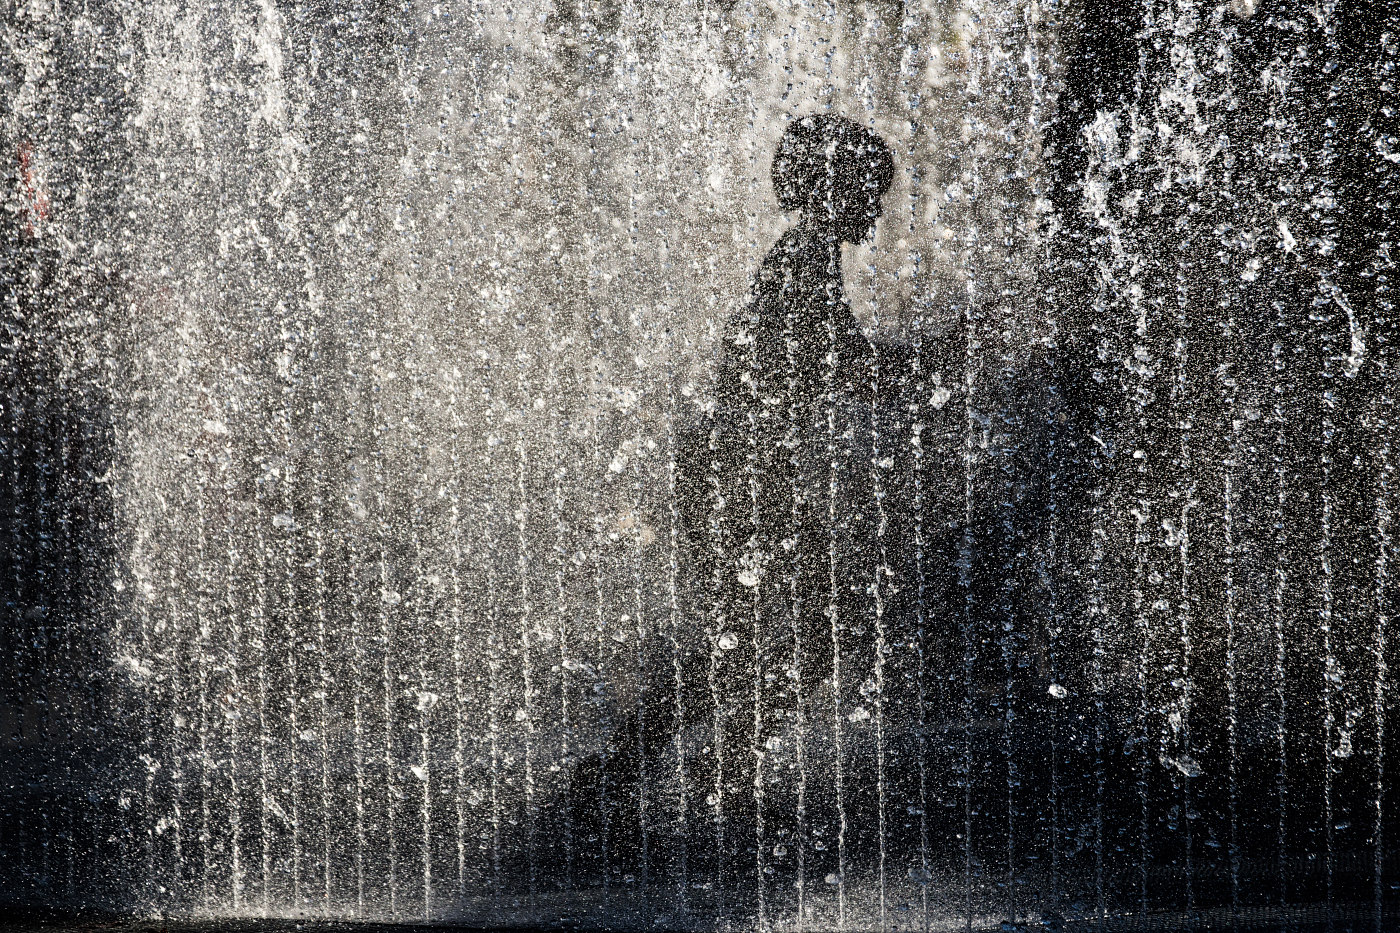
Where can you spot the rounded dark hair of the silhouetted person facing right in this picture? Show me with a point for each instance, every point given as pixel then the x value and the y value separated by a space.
pixel 824 156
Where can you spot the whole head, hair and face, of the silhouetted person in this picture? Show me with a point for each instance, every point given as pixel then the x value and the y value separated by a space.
pixel 835 172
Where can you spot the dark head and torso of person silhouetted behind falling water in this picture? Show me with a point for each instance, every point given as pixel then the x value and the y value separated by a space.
pixel 776 501
